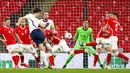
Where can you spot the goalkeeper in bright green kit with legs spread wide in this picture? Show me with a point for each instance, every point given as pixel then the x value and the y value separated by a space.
pixel 83 35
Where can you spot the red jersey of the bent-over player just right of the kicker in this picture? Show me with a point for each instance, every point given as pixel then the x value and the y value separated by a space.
pixel 55 37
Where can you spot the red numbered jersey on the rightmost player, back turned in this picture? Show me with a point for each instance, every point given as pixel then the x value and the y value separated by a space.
pixel 114 25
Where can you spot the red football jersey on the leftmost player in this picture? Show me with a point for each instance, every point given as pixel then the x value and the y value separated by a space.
pixel 8 34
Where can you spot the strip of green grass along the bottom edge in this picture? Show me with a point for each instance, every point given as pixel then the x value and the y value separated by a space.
pixel 33 70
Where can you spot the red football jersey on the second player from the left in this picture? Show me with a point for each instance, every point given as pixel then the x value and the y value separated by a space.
pixel 23 34
